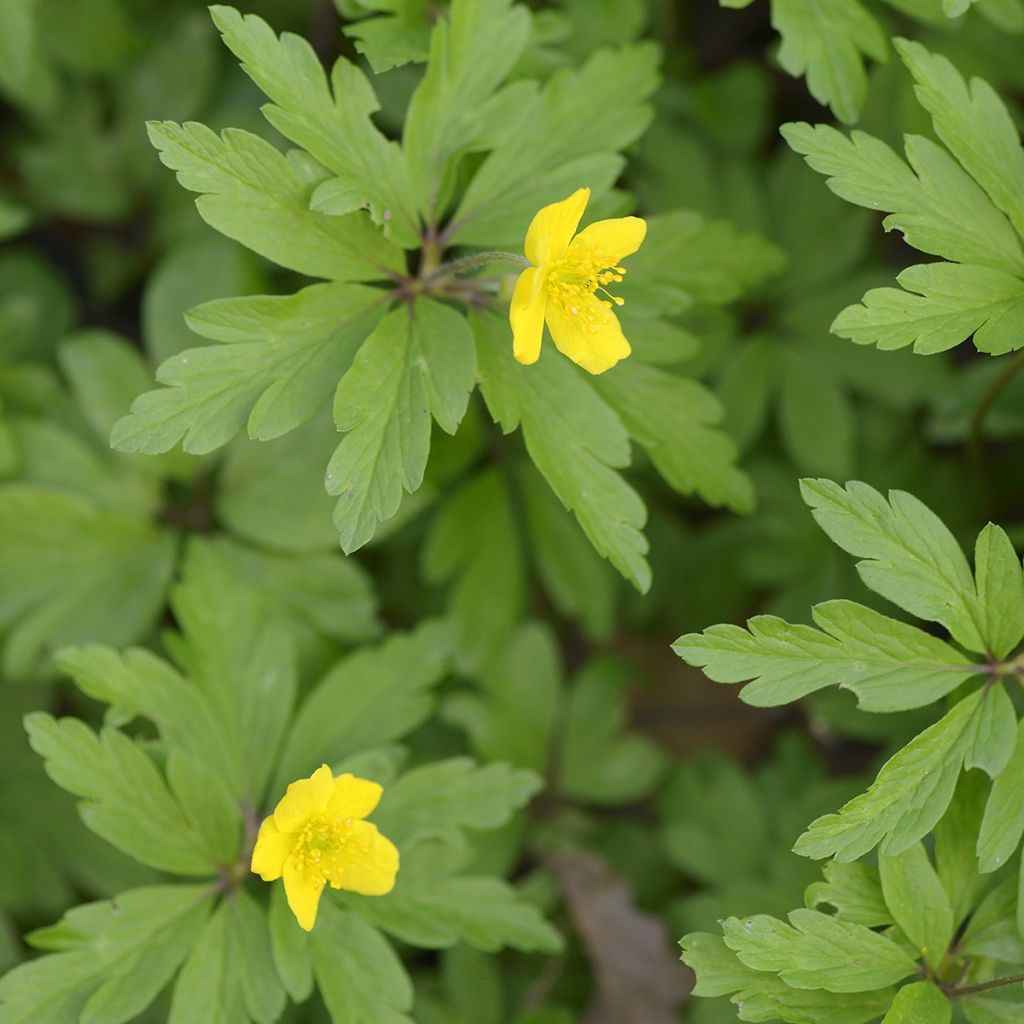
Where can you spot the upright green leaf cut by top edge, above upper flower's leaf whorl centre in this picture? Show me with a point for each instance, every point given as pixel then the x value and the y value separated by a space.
pixel 472 53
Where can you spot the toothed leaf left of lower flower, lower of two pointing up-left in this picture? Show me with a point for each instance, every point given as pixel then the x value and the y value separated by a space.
pixel 129 803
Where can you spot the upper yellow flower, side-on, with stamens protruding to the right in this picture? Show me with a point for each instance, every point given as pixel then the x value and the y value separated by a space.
pixel 563 286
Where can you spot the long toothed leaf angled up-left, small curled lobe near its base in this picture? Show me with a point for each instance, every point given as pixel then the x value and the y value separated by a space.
pixel 332 123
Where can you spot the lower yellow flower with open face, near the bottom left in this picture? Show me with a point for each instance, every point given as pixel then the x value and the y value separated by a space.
pixel 317 835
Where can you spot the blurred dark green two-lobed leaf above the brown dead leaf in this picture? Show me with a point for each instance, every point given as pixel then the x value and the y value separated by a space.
pixel 602 763
